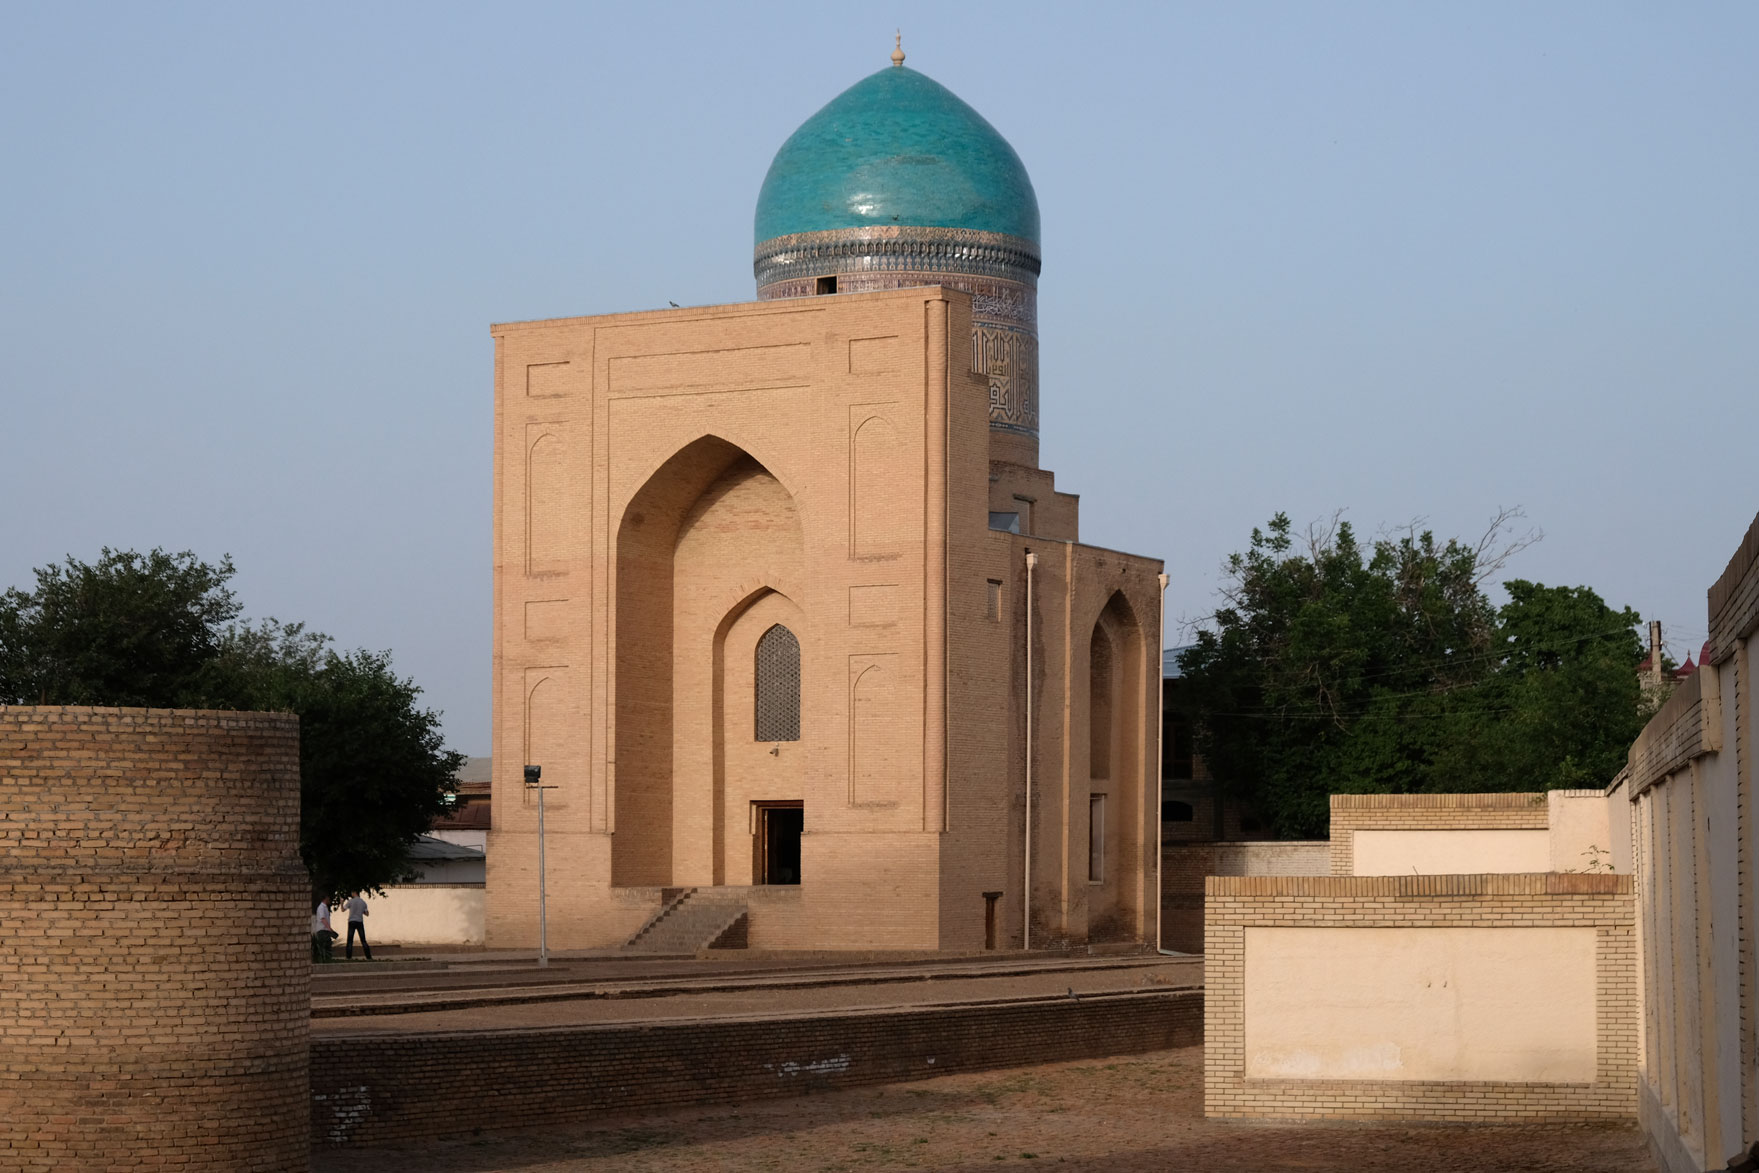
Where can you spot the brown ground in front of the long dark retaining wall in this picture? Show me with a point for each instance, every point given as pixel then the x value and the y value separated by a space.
pixel 1120 1116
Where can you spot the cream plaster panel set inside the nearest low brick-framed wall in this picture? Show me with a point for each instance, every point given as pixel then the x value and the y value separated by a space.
pixel 1507 1005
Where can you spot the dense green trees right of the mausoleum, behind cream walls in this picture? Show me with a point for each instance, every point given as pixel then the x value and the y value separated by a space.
pixel 1338 667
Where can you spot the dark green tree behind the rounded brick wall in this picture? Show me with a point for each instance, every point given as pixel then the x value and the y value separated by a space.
pixel 161 630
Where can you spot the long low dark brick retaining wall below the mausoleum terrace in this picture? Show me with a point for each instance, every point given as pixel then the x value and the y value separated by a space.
pixel 377 1089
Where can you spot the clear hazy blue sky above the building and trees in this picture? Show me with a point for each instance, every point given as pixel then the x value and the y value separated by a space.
pixel 1405 259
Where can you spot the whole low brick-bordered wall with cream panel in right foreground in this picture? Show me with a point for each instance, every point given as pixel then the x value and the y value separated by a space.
pixel 1422 998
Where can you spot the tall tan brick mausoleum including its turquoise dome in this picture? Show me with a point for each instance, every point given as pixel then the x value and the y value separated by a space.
pixel 763 572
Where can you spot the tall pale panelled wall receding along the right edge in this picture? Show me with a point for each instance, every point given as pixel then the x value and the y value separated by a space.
pixel 1688 801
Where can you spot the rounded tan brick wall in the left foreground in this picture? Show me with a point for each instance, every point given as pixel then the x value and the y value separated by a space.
pixel 154 958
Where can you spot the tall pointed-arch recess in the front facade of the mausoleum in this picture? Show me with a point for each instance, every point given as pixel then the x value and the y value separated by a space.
pixel 710 565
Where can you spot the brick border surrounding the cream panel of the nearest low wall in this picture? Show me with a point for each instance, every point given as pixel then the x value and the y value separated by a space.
pixel 1392 903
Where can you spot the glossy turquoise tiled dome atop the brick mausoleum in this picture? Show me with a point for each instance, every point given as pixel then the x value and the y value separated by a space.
pixel 896 149
